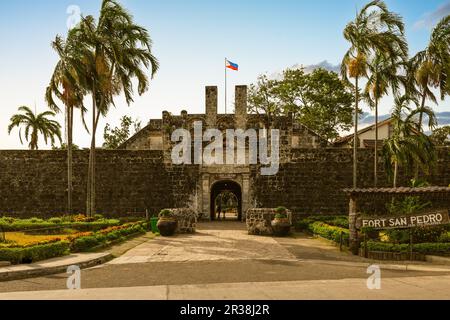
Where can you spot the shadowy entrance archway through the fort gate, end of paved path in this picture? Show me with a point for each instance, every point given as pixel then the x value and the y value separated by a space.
pixel 220 188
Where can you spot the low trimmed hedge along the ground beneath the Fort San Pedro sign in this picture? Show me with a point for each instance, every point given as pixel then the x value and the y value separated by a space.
pixel 424 248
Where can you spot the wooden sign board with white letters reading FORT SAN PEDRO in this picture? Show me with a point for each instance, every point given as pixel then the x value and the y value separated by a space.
pixel 404 222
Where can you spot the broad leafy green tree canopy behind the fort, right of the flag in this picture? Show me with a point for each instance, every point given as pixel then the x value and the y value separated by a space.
pixel 319 100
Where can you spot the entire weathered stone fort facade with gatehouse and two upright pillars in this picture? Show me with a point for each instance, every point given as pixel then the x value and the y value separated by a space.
pixel 141 176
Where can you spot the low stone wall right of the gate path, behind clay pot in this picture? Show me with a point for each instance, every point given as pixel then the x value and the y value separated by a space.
pixel 259 221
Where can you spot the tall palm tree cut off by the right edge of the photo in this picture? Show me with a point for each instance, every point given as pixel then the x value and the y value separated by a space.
pixel 431 66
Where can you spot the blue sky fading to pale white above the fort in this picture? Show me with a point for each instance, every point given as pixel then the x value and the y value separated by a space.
pixel 191 40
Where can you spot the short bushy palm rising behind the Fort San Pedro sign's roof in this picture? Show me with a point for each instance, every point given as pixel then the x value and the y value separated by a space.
pixel 407 145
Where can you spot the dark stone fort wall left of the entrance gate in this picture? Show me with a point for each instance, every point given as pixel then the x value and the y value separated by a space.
pixel 34 183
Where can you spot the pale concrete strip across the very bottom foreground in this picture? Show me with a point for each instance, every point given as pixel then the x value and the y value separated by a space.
pixel 411 288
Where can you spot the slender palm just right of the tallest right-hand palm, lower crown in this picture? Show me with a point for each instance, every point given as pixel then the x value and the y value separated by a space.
pixel 384 74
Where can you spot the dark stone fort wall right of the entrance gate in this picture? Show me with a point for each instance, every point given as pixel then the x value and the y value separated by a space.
pixel 313 179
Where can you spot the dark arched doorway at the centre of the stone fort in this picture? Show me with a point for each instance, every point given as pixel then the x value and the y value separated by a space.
pixel 232 193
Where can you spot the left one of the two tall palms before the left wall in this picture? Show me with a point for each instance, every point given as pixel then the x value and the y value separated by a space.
pixel 67 76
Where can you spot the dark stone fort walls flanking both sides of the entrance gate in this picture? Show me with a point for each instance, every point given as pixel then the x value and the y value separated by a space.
pixel 34 183
